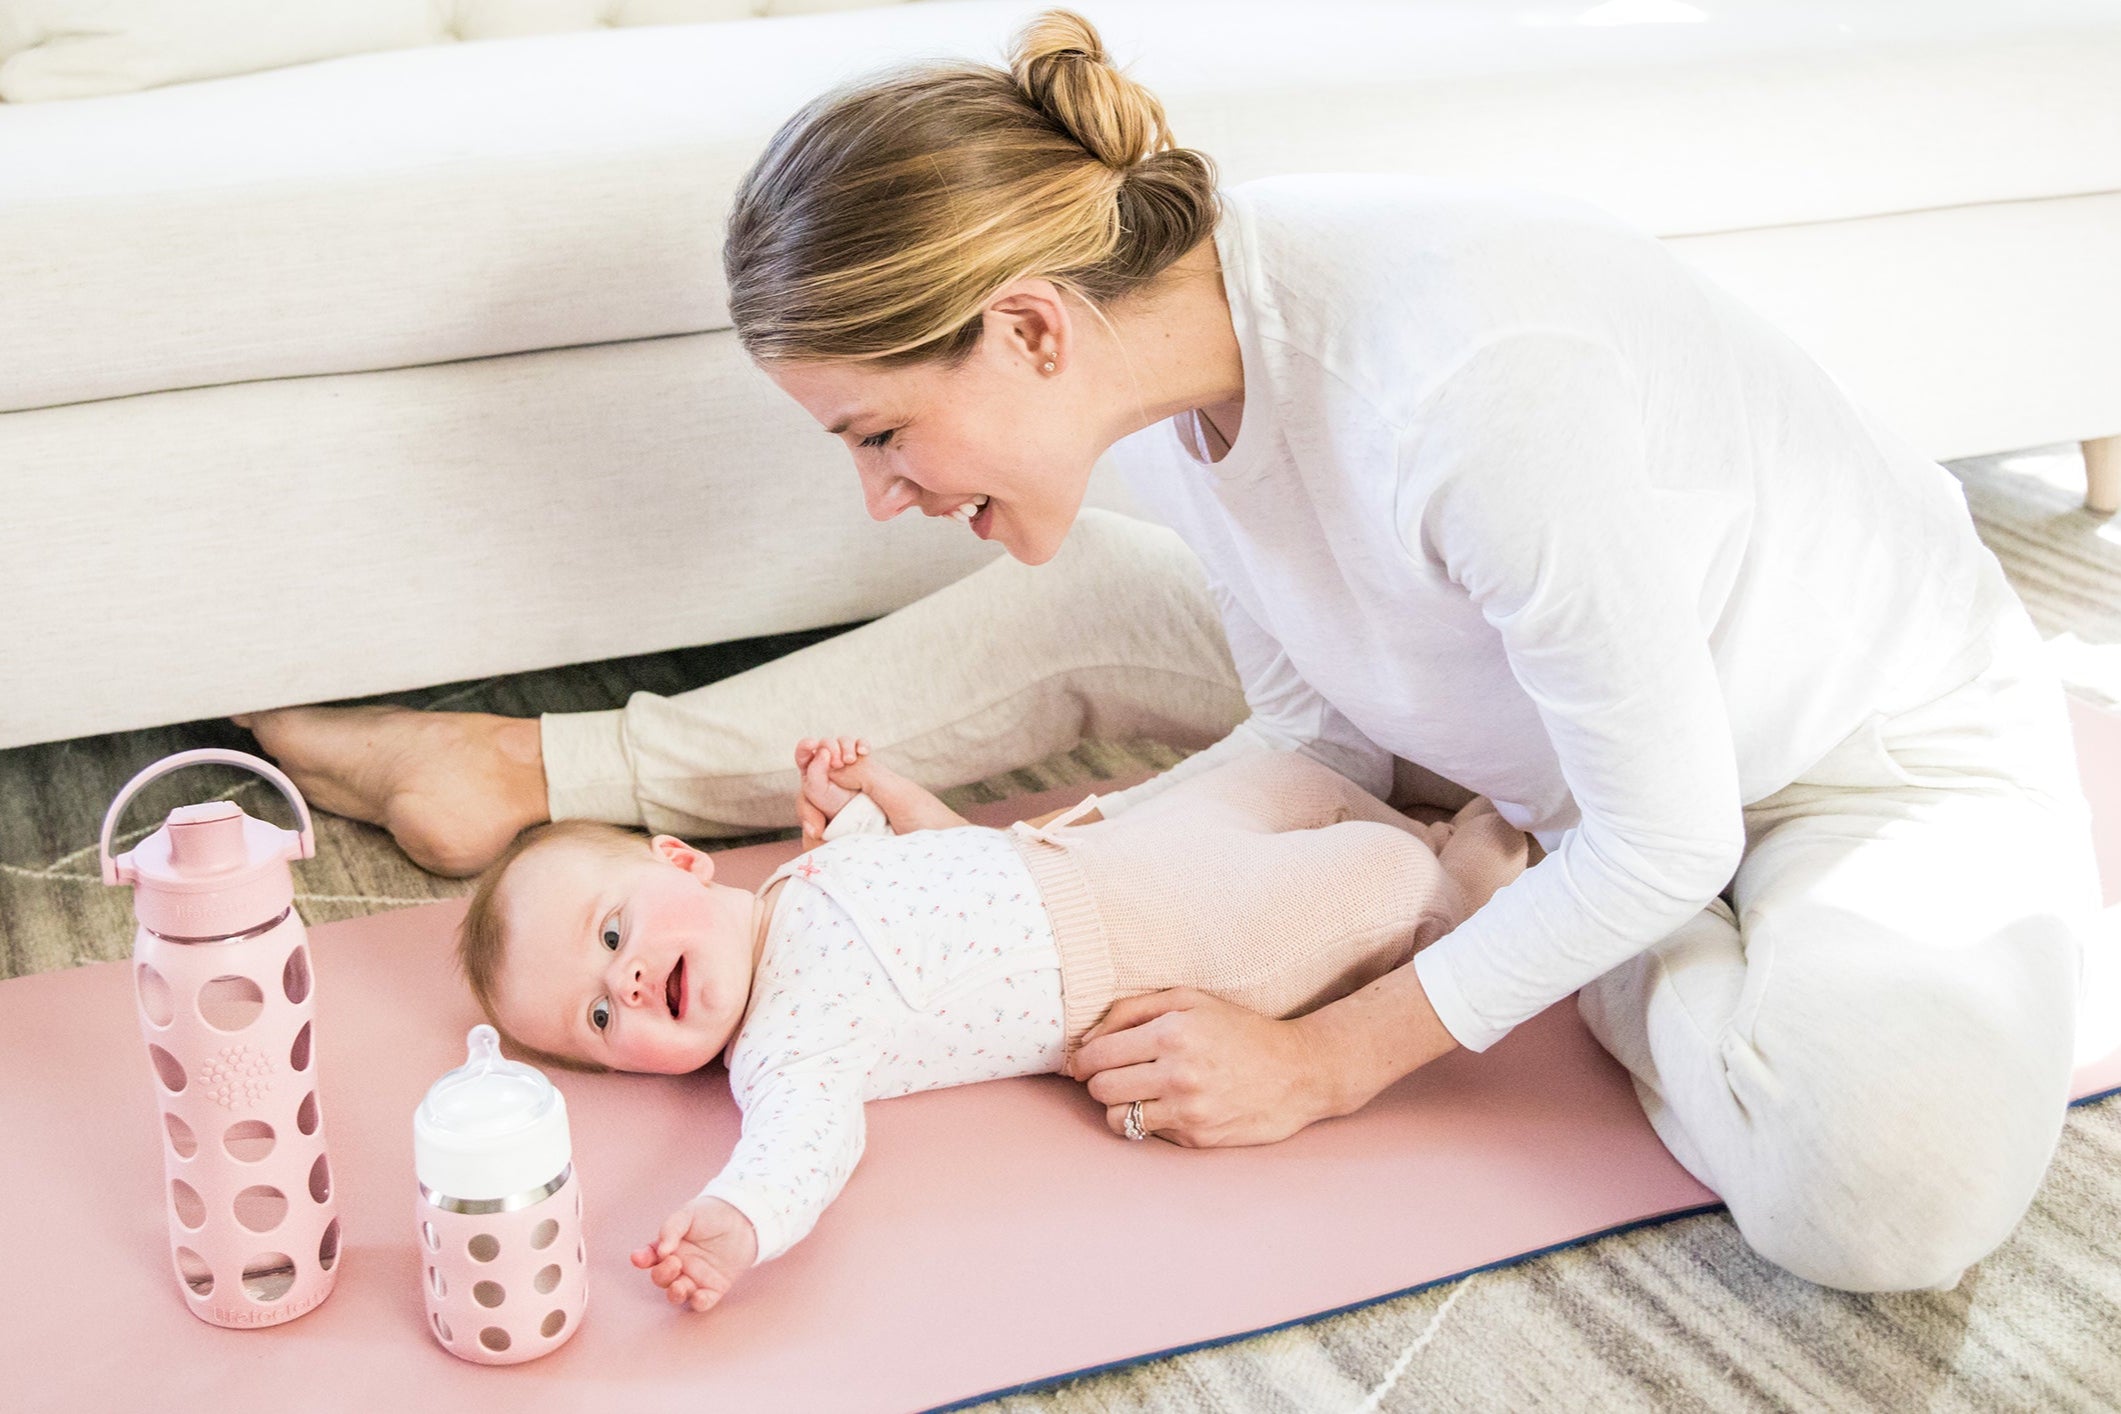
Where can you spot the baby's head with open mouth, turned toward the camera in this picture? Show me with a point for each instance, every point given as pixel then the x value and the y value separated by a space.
pixel 595 947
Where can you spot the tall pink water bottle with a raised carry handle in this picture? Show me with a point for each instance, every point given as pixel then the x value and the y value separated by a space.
pixel 222 972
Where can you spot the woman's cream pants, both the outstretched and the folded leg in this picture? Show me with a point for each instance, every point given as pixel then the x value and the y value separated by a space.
pixel 1865 1055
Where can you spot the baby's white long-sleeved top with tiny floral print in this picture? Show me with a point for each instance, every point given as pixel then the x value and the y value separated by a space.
pixel 894 964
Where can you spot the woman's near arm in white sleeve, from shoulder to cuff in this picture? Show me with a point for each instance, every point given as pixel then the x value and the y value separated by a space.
pixel 1592 576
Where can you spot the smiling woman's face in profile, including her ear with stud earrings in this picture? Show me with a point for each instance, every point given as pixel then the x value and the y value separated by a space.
pixel 1000 427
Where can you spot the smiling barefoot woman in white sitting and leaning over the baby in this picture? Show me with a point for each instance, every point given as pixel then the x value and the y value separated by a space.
pixel 1473 480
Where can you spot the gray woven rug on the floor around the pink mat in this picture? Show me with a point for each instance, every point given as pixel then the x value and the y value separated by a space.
pixel 1672 1318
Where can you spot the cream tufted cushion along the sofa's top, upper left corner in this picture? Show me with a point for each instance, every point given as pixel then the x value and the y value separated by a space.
pixel 94 48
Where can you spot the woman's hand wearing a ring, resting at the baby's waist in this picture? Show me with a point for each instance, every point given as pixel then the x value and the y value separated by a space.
pixel 1208 1072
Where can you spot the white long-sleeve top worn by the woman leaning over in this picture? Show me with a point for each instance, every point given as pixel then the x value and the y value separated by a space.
pixel 1524 499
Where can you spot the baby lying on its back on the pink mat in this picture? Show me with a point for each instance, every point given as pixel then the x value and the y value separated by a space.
pixel 907 949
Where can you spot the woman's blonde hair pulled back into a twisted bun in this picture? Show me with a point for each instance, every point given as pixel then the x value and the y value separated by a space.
pixel 888 213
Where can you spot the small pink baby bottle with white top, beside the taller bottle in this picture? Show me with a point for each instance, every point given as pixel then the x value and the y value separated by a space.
pixel 499 1209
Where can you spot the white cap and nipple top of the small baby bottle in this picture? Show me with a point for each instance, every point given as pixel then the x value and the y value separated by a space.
pixel 489 1131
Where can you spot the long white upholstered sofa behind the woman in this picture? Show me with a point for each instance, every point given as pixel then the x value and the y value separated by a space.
pixel 415 366
